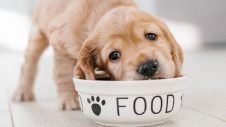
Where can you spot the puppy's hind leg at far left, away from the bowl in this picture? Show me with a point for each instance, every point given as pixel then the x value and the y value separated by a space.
pixel 37 44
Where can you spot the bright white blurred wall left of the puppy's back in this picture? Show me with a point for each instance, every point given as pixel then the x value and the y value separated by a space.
pixel 15 23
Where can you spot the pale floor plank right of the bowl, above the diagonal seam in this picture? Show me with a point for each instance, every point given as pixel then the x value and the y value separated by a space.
pixel 207 82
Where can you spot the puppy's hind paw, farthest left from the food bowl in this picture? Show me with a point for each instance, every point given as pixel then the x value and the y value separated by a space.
pixel 21 95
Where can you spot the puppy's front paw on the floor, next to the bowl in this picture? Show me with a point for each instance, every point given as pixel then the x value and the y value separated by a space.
pixel 70 103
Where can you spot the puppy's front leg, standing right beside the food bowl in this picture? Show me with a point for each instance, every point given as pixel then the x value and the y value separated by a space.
pixel 63 73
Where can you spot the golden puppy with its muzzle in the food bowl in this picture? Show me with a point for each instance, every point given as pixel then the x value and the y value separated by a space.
pixel 111 35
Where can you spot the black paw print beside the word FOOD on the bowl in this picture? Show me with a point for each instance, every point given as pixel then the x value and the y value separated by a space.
pixel 96 104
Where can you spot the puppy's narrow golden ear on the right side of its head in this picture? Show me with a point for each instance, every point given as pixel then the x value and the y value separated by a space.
pixel 176 51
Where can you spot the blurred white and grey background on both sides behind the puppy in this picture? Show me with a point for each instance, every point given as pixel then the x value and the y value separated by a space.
pixel 195 23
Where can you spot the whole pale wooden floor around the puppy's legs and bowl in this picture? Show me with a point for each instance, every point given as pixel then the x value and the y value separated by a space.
pixel 204 101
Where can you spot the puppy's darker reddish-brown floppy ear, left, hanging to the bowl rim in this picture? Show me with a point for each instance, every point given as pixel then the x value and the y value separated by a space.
pixel 85 67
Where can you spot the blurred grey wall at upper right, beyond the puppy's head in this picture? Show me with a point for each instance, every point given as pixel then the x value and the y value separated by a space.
pixel 208 15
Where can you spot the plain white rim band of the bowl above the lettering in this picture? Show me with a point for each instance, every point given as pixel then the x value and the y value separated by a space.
pixel 133 87
